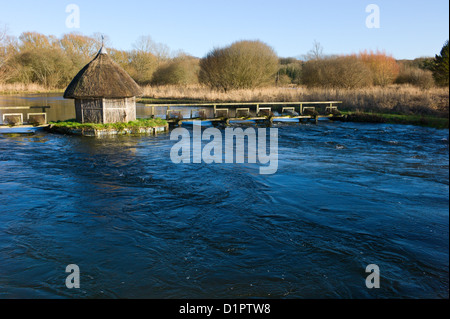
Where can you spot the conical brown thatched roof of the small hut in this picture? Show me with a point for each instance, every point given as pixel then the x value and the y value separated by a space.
pixel 102 78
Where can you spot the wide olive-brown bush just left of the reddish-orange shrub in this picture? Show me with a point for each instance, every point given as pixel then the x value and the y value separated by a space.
pixel 341 72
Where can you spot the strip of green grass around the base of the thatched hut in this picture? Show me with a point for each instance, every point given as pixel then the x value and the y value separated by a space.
pixel 139 123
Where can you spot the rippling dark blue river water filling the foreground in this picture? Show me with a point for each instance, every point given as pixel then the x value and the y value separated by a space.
pixel 345 195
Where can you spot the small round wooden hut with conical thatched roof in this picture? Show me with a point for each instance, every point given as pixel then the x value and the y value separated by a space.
pixel 103 92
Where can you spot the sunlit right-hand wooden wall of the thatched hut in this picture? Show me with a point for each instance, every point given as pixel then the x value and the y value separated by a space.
pixel 119 110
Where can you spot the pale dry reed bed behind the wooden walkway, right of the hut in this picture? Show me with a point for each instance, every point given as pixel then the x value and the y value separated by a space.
pixel 401 99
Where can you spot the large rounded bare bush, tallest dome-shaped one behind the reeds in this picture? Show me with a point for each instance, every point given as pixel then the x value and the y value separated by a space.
pixel 243 65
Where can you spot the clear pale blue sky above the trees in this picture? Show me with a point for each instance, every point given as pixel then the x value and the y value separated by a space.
pixel 408 29
